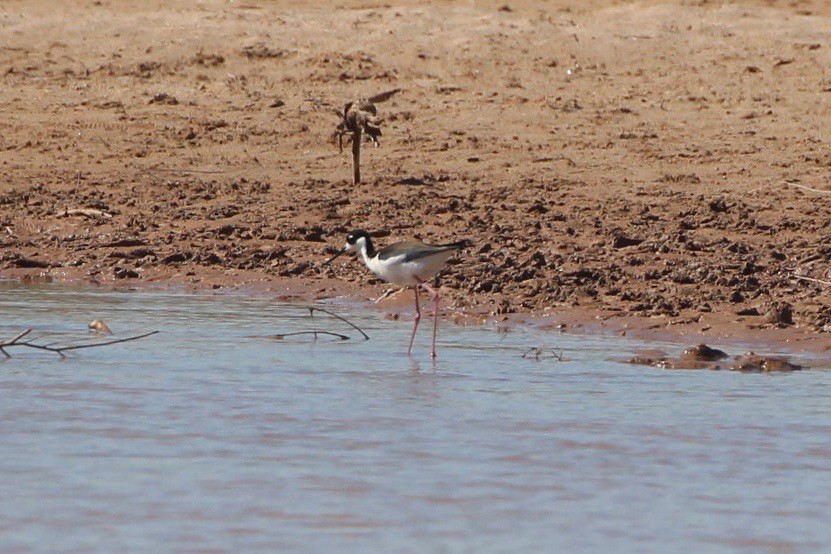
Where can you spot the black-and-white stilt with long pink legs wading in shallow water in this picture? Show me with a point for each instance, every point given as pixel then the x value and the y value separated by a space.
pixel 410 263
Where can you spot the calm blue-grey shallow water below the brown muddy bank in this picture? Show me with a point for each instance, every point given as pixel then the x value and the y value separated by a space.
pixel 209 438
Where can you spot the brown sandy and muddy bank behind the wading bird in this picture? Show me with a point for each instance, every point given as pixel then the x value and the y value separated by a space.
pixel 653 167
